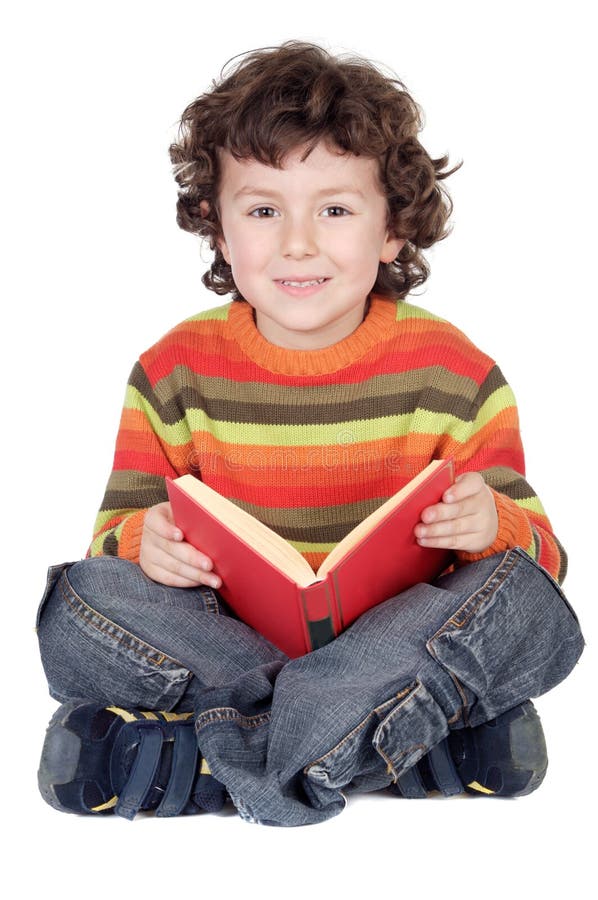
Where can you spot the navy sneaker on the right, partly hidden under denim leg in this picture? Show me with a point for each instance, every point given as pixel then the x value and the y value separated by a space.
pixel 505 757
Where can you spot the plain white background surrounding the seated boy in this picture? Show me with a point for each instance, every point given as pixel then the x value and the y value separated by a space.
pixel 96 269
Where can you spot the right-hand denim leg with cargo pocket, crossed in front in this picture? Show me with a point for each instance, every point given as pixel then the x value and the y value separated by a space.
pixel 362 710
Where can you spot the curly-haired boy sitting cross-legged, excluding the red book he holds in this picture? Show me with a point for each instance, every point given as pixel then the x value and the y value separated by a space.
pixel 308 399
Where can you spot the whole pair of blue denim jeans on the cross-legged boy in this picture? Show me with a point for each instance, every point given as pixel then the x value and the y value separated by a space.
pixel 287 737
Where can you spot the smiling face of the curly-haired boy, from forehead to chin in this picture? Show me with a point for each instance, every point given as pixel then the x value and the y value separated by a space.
pixel 324 218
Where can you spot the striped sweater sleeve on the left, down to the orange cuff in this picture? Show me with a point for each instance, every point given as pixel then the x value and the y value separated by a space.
pixel 148 442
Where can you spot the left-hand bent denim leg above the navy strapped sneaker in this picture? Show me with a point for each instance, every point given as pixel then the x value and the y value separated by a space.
pixel 109 633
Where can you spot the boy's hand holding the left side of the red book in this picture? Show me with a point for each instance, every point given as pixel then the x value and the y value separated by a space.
pixel 166 557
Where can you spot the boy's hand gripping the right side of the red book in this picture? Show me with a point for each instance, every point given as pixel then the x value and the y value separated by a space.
pixel 466 519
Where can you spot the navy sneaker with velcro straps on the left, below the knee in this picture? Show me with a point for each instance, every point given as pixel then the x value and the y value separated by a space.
pixel 102 759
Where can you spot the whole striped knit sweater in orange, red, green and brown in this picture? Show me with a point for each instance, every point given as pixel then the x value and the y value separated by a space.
pixel 311 442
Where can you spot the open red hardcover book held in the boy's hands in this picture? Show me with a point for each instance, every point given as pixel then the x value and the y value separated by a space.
pixel 272 588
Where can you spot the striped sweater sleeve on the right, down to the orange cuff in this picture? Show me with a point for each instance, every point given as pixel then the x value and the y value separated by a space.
pixel 492 446
